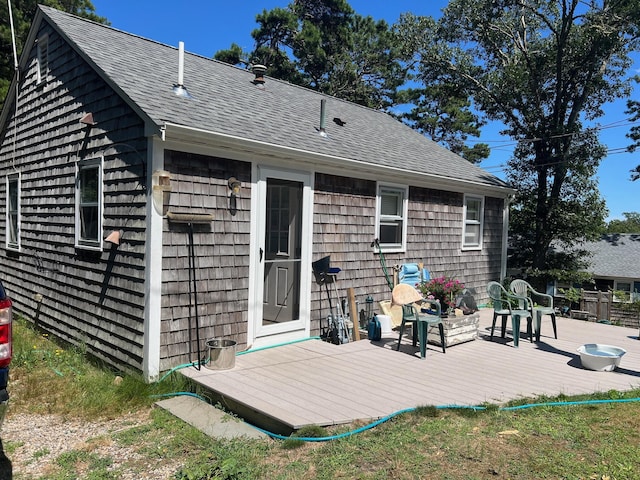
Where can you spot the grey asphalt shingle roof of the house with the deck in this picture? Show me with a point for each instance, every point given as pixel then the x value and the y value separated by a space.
pixel 226 101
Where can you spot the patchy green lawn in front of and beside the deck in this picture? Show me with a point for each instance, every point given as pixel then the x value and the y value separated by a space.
pixel 590 442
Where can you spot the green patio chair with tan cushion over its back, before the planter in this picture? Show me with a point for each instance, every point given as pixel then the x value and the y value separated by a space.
pixel 407 296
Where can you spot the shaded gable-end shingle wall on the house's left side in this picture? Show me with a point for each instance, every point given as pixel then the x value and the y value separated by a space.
pixel 90 298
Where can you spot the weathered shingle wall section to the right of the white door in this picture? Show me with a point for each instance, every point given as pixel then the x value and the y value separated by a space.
pixel 344 227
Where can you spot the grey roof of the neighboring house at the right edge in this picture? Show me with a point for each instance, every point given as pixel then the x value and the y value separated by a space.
pixel 615 255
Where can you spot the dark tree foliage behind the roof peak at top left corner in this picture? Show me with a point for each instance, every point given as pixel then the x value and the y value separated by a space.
pixel 23 13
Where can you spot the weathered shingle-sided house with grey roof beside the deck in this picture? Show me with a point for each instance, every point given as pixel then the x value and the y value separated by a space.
pixel 140 222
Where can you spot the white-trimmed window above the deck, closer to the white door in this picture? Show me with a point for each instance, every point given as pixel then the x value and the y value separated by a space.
pixel 391 217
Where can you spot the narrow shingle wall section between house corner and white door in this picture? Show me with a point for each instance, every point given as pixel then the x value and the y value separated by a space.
pixel 221 257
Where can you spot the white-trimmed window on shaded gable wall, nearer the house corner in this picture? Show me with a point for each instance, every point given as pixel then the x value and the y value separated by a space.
pixel 89 204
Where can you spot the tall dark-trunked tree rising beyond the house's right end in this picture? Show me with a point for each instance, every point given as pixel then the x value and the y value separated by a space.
pixel 542 68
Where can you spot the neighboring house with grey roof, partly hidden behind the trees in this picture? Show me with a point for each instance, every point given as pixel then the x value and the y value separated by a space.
pixel 615 263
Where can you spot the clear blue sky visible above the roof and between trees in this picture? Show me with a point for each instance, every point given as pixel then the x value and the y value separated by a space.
pixel 206 26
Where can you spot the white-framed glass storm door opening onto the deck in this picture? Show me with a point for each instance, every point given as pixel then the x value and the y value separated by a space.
pixel 281 264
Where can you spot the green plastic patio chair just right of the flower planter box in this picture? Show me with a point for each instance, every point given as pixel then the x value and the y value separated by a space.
pixel 507 304
